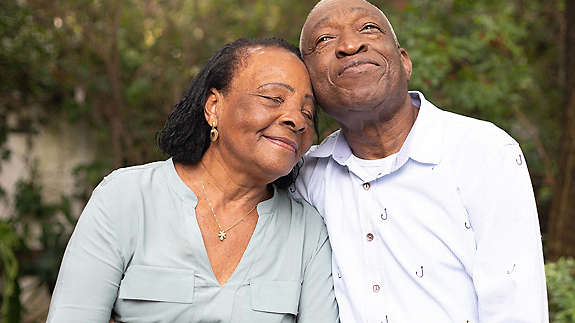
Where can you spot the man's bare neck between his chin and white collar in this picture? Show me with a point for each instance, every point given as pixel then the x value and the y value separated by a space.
pixel 381 136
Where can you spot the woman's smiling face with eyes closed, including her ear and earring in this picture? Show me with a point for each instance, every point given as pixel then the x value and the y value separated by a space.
pixel 265 118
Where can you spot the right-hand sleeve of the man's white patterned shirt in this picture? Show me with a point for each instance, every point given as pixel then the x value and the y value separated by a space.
pixel 508 271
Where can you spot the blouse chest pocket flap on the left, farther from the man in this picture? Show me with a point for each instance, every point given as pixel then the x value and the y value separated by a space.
pixel 157 284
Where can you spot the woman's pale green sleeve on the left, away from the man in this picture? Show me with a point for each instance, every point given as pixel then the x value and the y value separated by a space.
pixel 91 269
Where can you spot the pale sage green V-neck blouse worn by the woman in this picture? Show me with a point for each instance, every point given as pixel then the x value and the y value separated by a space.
pixel 137 255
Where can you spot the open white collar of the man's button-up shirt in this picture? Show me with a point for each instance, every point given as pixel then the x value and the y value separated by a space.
pixel 423 143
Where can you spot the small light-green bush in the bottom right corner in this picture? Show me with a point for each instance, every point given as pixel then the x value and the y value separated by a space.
pixel 561 290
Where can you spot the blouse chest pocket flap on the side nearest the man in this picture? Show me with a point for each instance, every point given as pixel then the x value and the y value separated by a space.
pixel 275 296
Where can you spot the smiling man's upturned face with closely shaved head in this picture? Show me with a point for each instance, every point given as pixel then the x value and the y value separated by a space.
pixel 354 61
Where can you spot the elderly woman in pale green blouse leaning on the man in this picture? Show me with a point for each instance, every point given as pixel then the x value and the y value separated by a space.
pixel 210 235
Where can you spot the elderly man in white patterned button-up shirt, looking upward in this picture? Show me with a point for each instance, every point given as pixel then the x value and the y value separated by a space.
pixel 431 215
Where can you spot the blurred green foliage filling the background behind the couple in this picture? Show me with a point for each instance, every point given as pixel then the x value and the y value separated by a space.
pixel 118 67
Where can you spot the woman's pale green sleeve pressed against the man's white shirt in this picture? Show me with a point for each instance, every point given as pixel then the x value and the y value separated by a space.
pixel 317 299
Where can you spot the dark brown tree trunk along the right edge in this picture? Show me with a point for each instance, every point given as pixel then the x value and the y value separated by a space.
pixel 561 237
